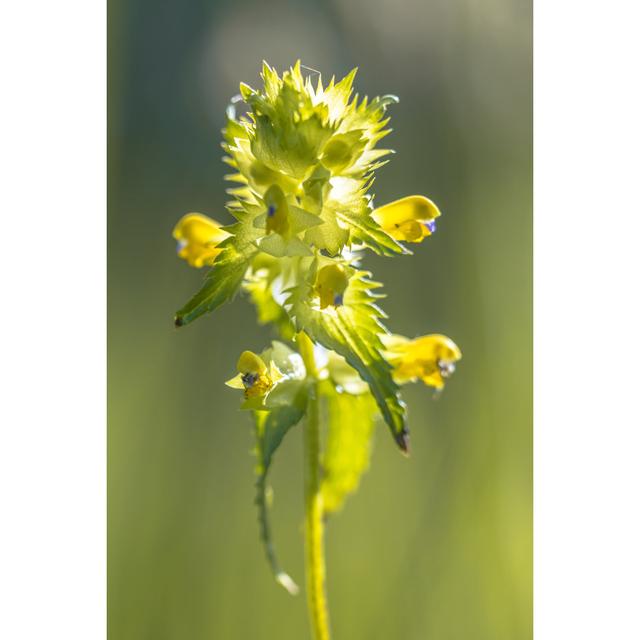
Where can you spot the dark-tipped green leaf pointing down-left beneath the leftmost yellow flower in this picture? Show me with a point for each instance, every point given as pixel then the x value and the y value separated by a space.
pixel 221 284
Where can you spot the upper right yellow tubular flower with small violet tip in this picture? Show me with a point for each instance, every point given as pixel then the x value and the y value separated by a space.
pixel 409 219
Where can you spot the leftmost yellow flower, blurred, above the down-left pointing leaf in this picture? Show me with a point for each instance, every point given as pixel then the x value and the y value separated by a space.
pixel 198 236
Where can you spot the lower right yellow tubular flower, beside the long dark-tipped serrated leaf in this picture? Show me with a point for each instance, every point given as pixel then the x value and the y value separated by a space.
pixel 429 358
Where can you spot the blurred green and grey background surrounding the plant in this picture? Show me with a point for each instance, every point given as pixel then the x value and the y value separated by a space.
pixel 438 546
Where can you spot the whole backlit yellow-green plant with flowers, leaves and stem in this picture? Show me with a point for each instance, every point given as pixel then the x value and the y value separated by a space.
pixel 303 161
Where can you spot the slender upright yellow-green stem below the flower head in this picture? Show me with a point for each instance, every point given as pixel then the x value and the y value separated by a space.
pixel 314 523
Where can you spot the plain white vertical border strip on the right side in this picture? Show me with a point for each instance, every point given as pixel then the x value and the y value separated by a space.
pixel 587 452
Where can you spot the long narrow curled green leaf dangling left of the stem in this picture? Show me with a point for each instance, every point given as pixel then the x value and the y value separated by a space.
pixel 270 429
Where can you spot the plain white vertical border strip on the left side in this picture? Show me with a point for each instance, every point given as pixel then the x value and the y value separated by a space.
pixel 52 321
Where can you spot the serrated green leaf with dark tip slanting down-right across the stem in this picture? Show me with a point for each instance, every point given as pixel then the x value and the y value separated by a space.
pixel 352 330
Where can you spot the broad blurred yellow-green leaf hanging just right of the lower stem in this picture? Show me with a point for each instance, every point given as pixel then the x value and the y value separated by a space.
pixel 351 422
